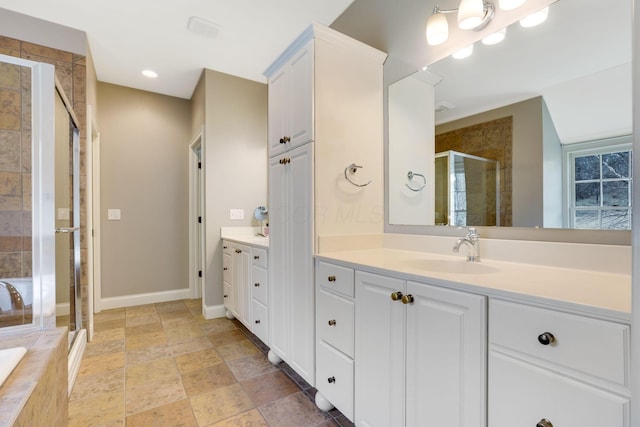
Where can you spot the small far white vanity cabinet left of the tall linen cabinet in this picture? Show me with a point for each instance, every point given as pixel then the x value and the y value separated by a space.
pixel 246 284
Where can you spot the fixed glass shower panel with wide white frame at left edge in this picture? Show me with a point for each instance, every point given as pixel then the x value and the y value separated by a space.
pixel 27 288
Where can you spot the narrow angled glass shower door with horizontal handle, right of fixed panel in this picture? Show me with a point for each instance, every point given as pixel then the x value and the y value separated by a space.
pixel 67 201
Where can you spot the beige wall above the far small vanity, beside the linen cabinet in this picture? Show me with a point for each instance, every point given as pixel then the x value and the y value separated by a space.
pixel 235 163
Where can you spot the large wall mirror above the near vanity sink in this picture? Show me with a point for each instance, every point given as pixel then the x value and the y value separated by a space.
pixel 529 138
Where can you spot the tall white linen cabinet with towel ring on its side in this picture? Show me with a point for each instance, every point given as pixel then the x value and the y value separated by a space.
pixel 325 114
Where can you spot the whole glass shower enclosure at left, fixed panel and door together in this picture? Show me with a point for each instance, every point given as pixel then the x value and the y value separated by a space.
pixel 39 200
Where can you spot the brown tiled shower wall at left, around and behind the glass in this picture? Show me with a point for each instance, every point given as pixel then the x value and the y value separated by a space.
pixel 15 154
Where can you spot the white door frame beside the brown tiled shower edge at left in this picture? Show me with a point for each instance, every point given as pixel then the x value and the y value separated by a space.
pixel 93 218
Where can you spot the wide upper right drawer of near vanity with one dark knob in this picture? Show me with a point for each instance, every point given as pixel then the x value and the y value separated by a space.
pixel 594 347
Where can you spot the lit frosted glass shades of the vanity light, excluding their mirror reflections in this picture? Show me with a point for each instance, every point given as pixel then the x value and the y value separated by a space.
pixel 472 15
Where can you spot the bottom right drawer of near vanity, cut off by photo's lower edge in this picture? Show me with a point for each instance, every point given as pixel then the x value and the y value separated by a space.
pixel 521 395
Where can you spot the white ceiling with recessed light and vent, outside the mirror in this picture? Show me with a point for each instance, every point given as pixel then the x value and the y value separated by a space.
pixel 127 36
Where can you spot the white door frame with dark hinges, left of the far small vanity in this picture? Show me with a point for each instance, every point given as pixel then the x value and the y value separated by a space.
pixel 196 210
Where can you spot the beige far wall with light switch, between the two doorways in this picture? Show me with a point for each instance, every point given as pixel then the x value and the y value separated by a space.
pixel 144 172
